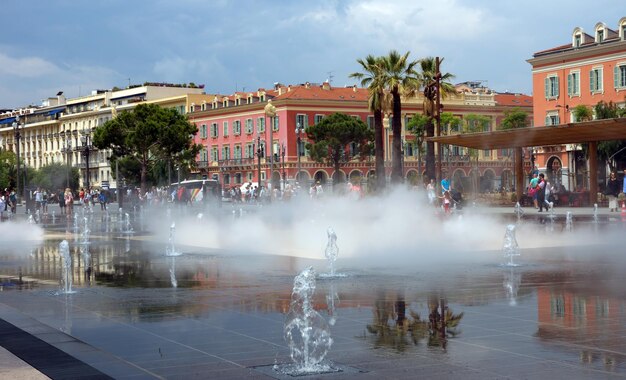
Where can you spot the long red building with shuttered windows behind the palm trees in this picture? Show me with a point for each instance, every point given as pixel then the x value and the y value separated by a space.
pixel 232 128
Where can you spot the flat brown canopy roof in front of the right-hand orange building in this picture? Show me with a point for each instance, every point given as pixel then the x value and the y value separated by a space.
pixel 573 133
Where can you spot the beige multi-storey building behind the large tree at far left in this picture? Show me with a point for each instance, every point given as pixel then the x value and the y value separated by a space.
pixel 60 129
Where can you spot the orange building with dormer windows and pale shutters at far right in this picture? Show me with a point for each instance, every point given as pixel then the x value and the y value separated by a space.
pixel 589 69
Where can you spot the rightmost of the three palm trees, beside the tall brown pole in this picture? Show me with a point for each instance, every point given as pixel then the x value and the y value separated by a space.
pixel 428 75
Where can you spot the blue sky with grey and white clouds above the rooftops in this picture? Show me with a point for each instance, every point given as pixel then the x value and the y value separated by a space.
pixel 79 46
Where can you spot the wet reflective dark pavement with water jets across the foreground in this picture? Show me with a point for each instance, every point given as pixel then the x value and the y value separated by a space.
pixel 214 313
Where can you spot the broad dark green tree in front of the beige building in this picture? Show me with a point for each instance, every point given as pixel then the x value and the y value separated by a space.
pixel 148 134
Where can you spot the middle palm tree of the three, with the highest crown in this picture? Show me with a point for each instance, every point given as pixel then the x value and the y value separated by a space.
pixel 400 78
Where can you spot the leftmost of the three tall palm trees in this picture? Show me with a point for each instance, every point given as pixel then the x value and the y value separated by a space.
pixel 371 78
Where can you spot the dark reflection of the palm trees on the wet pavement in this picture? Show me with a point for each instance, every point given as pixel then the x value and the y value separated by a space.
pixel 442 323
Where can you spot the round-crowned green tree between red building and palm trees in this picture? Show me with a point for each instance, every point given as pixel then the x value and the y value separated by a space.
pixel 332 137
